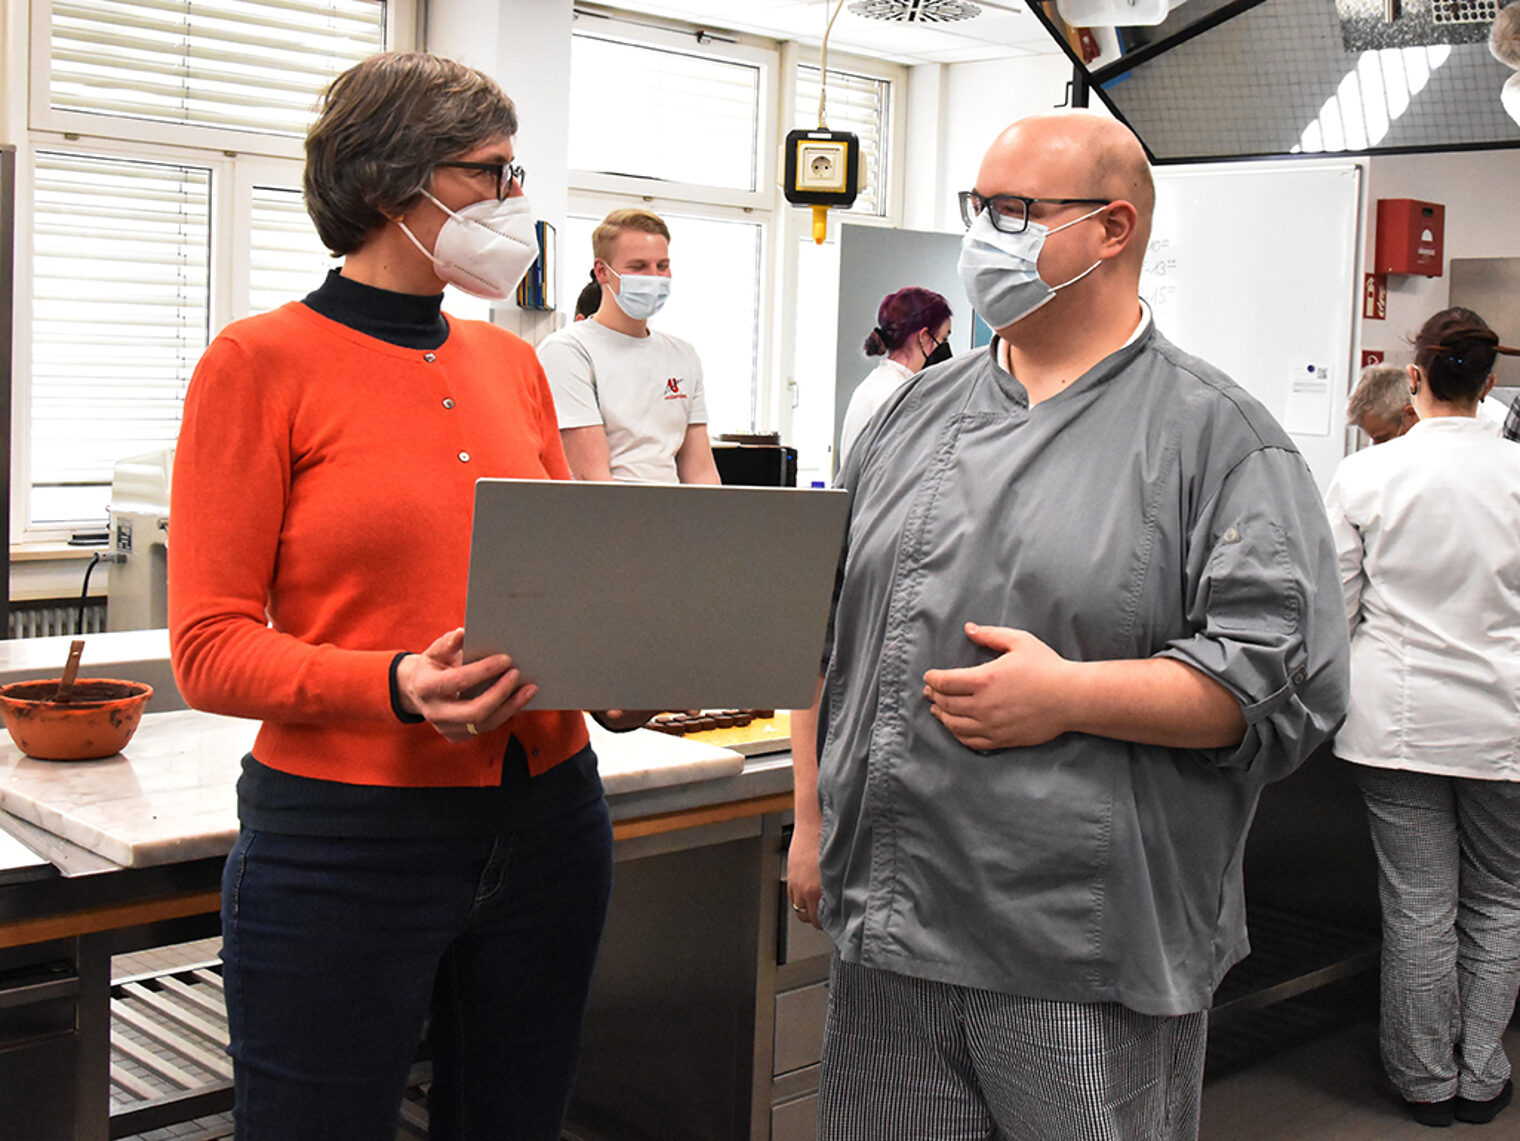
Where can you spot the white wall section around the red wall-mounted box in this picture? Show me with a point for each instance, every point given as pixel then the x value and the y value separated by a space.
pixel 1478 191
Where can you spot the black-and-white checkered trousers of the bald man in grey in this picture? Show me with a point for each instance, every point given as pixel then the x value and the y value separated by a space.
pixel 908 1060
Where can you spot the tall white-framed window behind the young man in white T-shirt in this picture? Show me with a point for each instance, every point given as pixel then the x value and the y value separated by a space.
pixel 688 130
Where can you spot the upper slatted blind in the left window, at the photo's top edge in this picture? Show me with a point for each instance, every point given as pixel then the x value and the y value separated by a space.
pixel 236 65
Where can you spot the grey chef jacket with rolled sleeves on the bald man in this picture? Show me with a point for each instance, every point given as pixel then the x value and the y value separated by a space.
pixel 1150 510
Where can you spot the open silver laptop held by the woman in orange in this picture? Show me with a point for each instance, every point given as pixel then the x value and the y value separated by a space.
pixel 650 596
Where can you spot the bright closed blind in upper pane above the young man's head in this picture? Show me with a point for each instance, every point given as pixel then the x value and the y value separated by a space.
pixel 654 113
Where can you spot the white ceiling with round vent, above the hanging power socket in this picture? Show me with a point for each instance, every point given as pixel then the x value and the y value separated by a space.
pixel 1004 31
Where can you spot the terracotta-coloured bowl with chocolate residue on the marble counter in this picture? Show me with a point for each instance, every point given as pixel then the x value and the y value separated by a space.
pixel 98 719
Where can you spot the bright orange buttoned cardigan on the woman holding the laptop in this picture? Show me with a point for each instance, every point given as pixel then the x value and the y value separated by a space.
pixel 320 525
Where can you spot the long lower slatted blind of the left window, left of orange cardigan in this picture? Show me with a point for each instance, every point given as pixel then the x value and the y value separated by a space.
pixel 121 265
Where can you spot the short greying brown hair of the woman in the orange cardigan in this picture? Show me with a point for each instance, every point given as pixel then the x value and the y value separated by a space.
pixel 382 128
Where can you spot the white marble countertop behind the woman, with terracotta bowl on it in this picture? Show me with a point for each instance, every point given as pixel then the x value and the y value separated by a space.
pixel 171 795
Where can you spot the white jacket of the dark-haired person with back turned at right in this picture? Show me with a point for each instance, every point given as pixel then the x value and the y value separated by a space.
pixel 1428 536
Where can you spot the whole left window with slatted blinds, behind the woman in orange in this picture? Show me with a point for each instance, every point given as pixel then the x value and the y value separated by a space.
pixel 159 200
